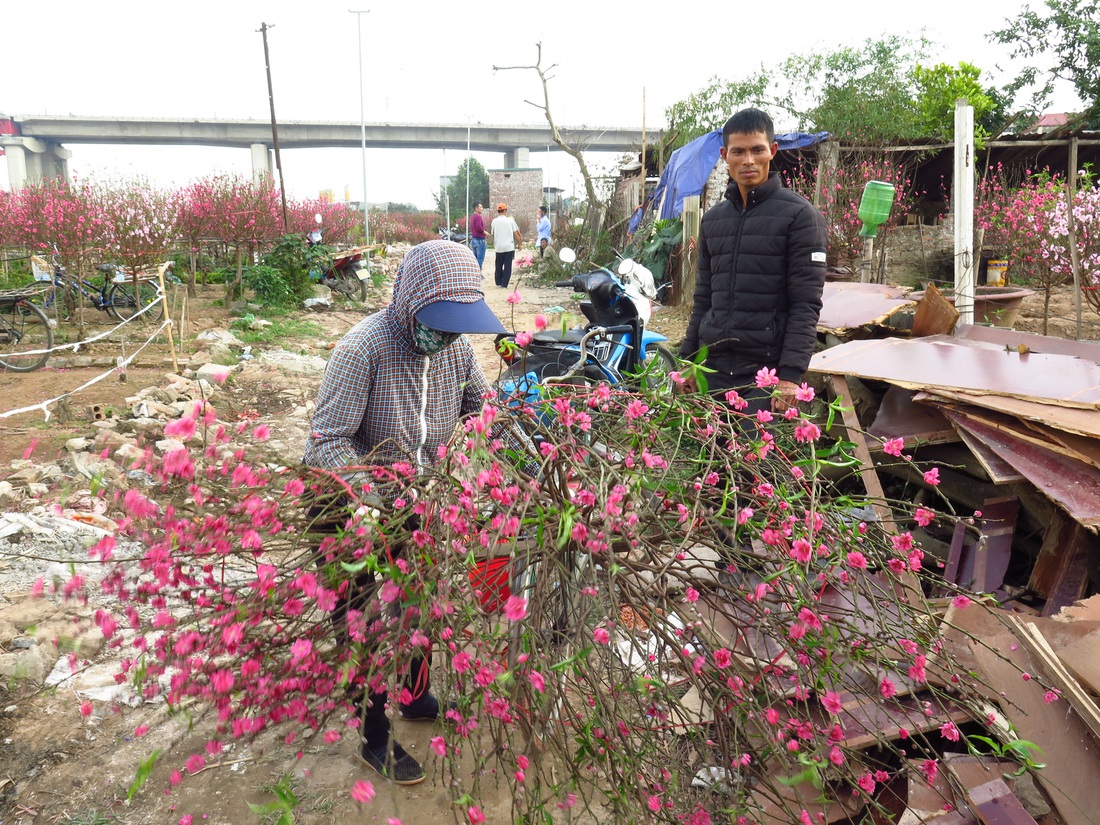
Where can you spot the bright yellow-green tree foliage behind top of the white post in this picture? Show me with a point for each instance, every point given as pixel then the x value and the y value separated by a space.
pixel 939 90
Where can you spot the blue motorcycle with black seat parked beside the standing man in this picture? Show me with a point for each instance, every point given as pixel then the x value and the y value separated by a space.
pixel 614 346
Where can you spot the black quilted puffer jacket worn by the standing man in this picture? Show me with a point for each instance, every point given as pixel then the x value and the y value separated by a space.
pixel 758 294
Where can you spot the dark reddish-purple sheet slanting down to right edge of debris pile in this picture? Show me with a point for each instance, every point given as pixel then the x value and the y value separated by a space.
pixel 1070 483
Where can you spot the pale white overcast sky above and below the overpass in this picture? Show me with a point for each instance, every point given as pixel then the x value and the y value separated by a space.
pixel 424 61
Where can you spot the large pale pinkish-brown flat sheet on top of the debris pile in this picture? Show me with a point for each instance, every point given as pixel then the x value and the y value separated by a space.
pixel 930 364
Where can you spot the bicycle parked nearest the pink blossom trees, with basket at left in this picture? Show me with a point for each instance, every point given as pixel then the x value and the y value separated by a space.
pixel 117 296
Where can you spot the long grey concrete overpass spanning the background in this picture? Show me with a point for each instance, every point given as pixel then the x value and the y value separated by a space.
pixel 35 151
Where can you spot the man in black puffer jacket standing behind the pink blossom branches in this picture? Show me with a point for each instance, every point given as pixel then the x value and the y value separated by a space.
pixel 762 272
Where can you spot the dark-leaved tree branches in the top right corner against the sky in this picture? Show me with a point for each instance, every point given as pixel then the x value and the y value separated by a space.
pixel 1064 43
